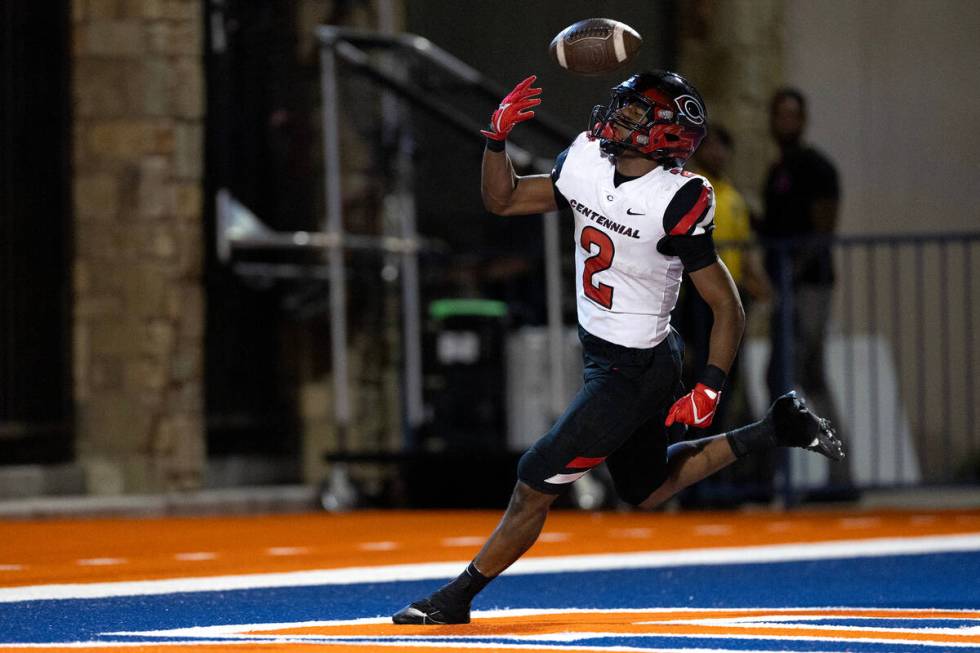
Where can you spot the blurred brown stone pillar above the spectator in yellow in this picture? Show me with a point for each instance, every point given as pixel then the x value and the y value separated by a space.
pixel 733 50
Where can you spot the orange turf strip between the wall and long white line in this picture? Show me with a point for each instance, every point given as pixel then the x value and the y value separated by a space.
pixel 105 550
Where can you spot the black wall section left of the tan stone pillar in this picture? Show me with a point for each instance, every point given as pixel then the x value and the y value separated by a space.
pixel 34 232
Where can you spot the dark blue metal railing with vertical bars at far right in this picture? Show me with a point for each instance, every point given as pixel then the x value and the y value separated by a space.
pixel 899 356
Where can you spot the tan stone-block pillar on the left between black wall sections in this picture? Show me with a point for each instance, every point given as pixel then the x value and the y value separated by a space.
pixel 138 105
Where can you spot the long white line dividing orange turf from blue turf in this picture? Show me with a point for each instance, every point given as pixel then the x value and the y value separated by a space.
pixel 552 564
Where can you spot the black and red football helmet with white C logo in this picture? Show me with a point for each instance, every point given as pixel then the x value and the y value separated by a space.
pixel 662 113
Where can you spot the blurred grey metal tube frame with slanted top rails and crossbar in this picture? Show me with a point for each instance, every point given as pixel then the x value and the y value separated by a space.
pixel 388 60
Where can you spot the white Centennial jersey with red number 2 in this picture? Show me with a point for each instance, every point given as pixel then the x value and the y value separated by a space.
pixel 626 286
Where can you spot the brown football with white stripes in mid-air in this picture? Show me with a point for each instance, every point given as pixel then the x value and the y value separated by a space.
pixel 595 46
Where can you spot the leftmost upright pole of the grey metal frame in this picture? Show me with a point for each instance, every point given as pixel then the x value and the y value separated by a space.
pixel 334 225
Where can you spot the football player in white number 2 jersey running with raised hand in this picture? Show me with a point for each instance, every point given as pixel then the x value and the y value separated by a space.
pixel 641 221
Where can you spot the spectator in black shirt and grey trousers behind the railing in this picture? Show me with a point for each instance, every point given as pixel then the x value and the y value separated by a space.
pixel 801 194
